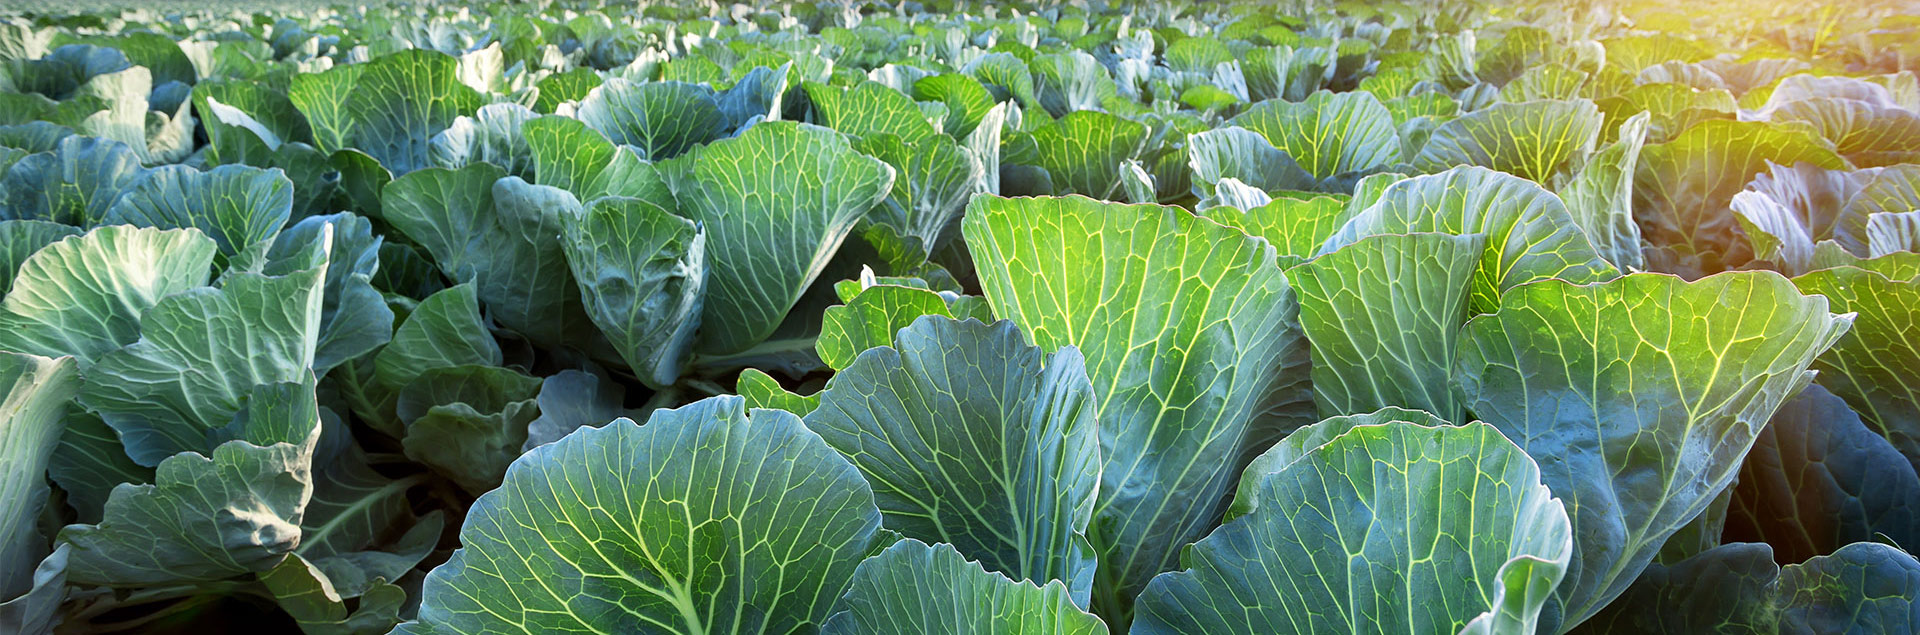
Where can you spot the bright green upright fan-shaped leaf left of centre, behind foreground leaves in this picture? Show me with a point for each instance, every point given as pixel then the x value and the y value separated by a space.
pixel 777 204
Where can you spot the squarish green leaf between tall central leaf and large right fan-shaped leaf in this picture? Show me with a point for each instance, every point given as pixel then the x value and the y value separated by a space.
pixel 1383 317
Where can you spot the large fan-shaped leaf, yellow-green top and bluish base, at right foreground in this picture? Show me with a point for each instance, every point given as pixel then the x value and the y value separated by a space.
pixel 1643 396
